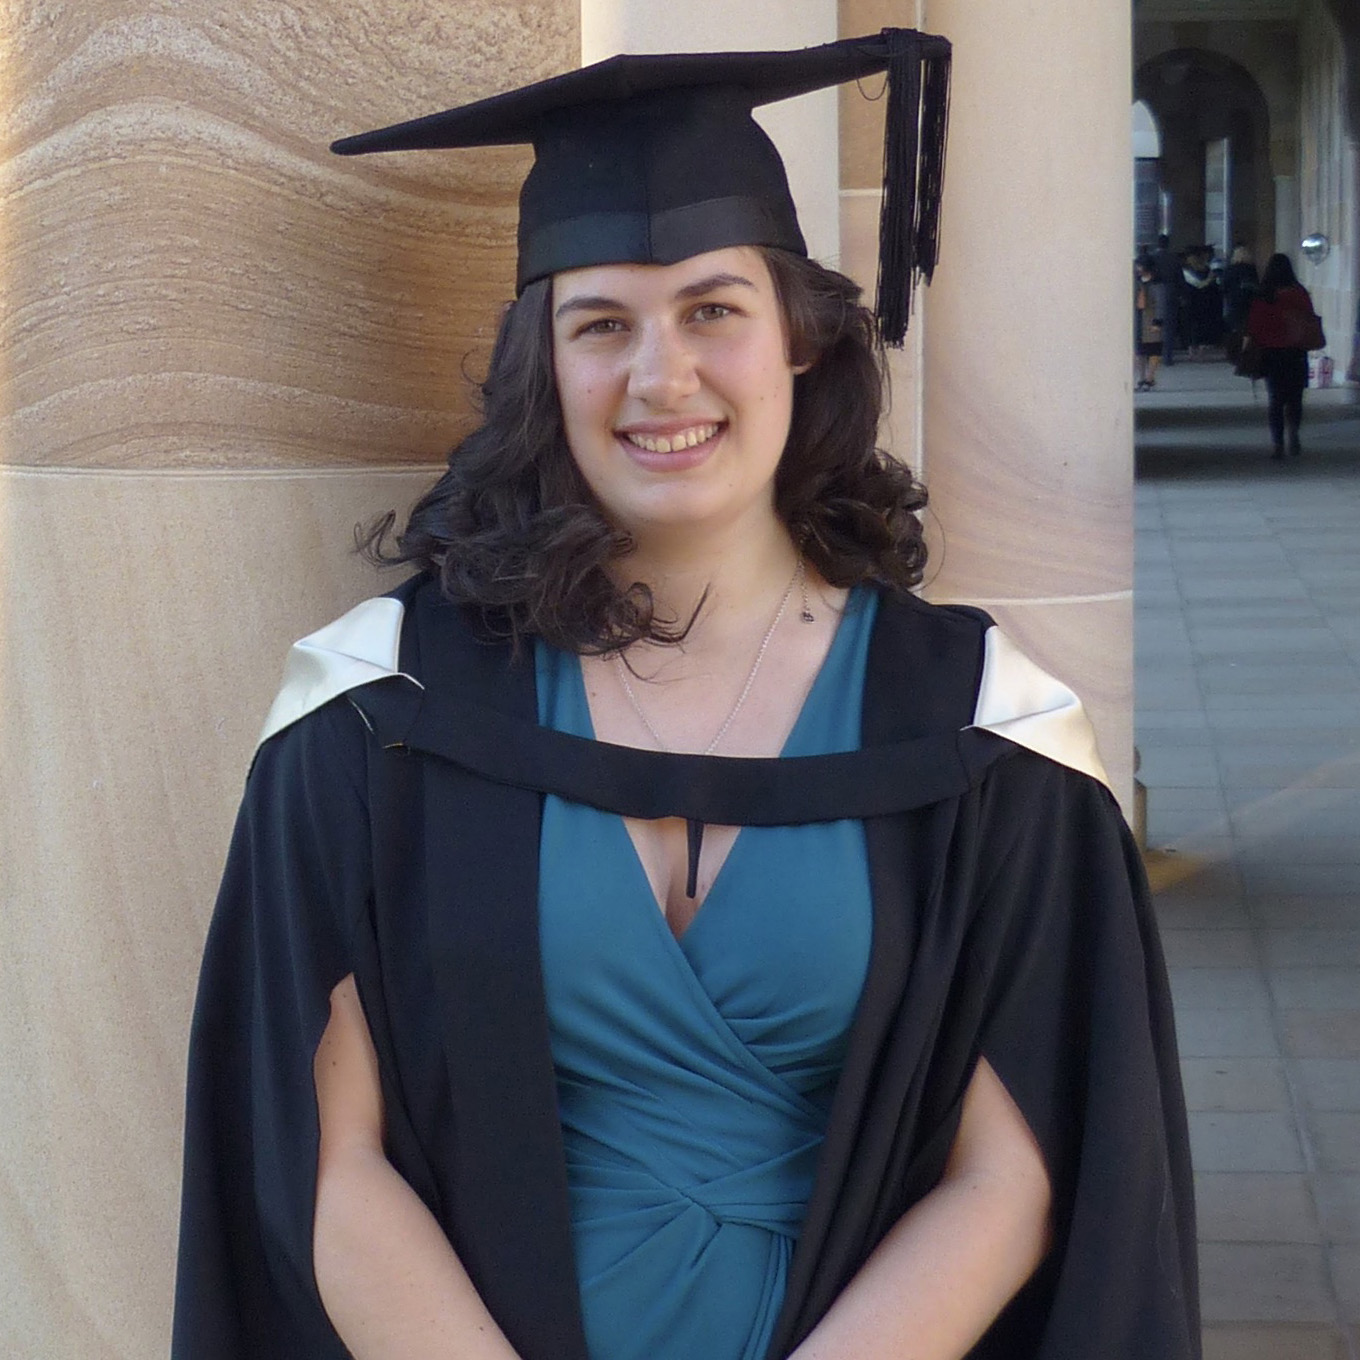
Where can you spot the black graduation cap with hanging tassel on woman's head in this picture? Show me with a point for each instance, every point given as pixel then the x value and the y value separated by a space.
pixel 652 160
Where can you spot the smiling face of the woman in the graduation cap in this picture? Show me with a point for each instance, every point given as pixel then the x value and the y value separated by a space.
pixel 677 390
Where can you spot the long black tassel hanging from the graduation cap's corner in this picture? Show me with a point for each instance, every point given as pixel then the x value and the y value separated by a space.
pixel 913 173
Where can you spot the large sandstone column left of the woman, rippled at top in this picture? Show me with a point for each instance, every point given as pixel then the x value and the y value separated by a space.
pixel 220 347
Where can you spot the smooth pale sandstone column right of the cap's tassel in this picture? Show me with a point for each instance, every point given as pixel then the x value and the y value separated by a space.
pixel 1027 413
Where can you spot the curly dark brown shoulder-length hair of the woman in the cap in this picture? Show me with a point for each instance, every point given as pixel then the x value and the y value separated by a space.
pixel 513 531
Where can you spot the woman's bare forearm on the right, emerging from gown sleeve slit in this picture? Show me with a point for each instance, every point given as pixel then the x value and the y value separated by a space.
pixel 953 1263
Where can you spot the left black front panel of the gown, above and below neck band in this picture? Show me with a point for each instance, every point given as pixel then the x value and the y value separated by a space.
pixel 508 1214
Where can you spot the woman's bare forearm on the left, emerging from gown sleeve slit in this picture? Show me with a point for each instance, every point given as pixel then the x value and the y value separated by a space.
pixel 388 1278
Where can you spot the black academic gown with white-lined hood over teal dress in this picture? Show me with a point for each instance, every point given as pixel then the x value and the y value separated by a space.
pixel 391 830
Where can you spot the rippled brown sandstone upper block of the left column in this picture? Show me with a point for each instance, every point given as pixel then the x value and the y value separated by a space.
pixel 192 281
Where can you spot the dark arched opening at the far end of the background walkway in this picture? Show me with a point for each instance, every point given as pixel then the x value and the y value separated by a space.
pixel 1199 97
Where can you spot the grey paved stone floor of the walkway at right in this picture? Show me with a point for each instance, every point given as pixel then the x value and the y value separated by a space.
pixel 1249 730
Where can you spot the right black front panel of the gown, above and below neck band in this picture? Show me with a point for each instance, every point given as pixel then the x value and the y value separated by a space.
pixel 921 682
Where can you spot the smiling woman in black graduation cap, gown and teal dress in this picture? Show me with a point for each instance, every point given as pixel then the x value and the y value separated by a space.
pixel 652 931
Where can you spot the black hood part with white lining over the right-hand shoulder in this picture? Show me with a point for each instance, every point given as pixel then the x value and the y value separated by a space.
pixel 950 667
